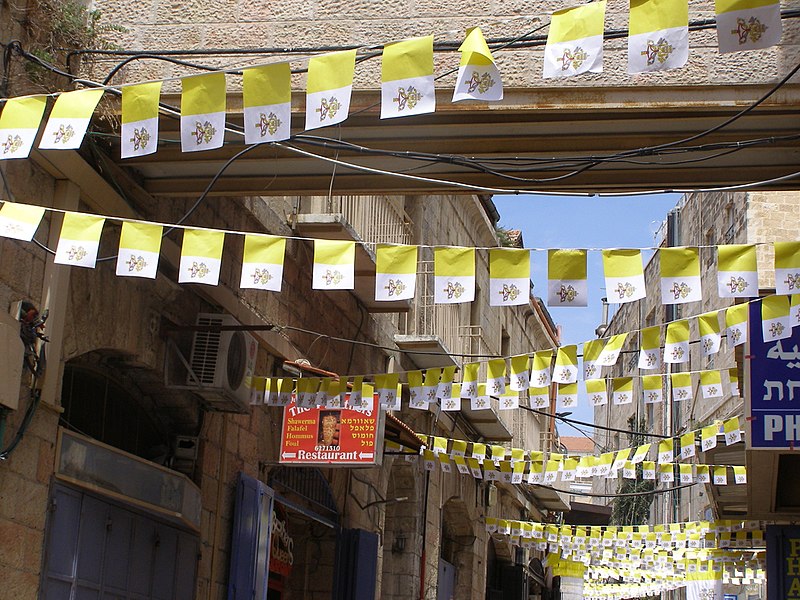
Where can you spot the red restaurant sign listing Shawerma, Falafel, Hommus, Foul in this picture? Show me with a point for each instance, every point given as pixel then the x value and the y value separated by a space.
pixel 332 436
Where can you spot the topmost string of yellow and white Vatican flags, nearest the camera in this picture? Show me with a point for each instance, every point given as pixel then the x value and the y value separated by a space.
pixel 658 40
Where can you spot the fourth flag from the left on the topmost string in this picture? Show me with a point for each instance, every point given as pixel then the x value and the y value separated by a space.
pixel 202 112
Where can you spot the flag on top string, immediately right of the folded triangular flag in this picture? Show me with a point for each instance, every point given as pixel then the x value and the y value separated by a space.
pixel 575 41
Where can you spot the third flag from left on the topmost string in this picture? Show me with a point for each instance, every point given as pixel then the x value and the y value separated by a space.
pixel 139 132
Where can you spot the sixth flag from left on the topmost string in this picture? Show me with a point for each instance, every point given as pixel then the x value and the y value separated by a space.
pixel 329 88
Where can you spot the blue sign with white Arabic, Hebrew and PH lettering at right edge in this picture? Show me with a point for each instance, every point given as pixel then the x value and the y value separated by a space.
pixel 773 387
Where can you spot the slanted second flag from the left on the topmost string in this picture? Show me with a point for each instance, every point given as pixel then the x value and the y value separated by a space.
pixel 69 119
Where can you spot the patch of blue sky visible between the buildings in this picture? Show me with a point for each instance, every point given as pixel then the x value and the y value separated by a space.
pixel 582 222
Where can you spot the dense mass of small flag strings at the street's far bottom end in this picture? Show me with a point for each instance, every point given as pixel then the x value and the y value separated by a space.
pixel 635 561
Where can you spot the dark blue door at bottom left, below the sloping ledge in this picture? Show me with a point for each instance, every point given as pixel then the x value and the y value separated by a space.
pixel 97 550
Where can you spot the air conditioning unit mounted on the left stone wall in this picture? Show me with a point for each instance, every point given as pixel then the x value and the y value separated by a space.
pixel 222 365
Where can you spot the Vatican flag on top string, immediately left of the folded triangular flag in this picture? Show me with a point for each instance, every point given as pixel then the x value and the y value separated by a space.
pixel 407 86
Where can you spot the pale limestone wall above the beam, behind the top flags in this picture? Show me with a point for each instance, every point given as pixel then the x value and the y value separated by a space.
pixel 161 24
